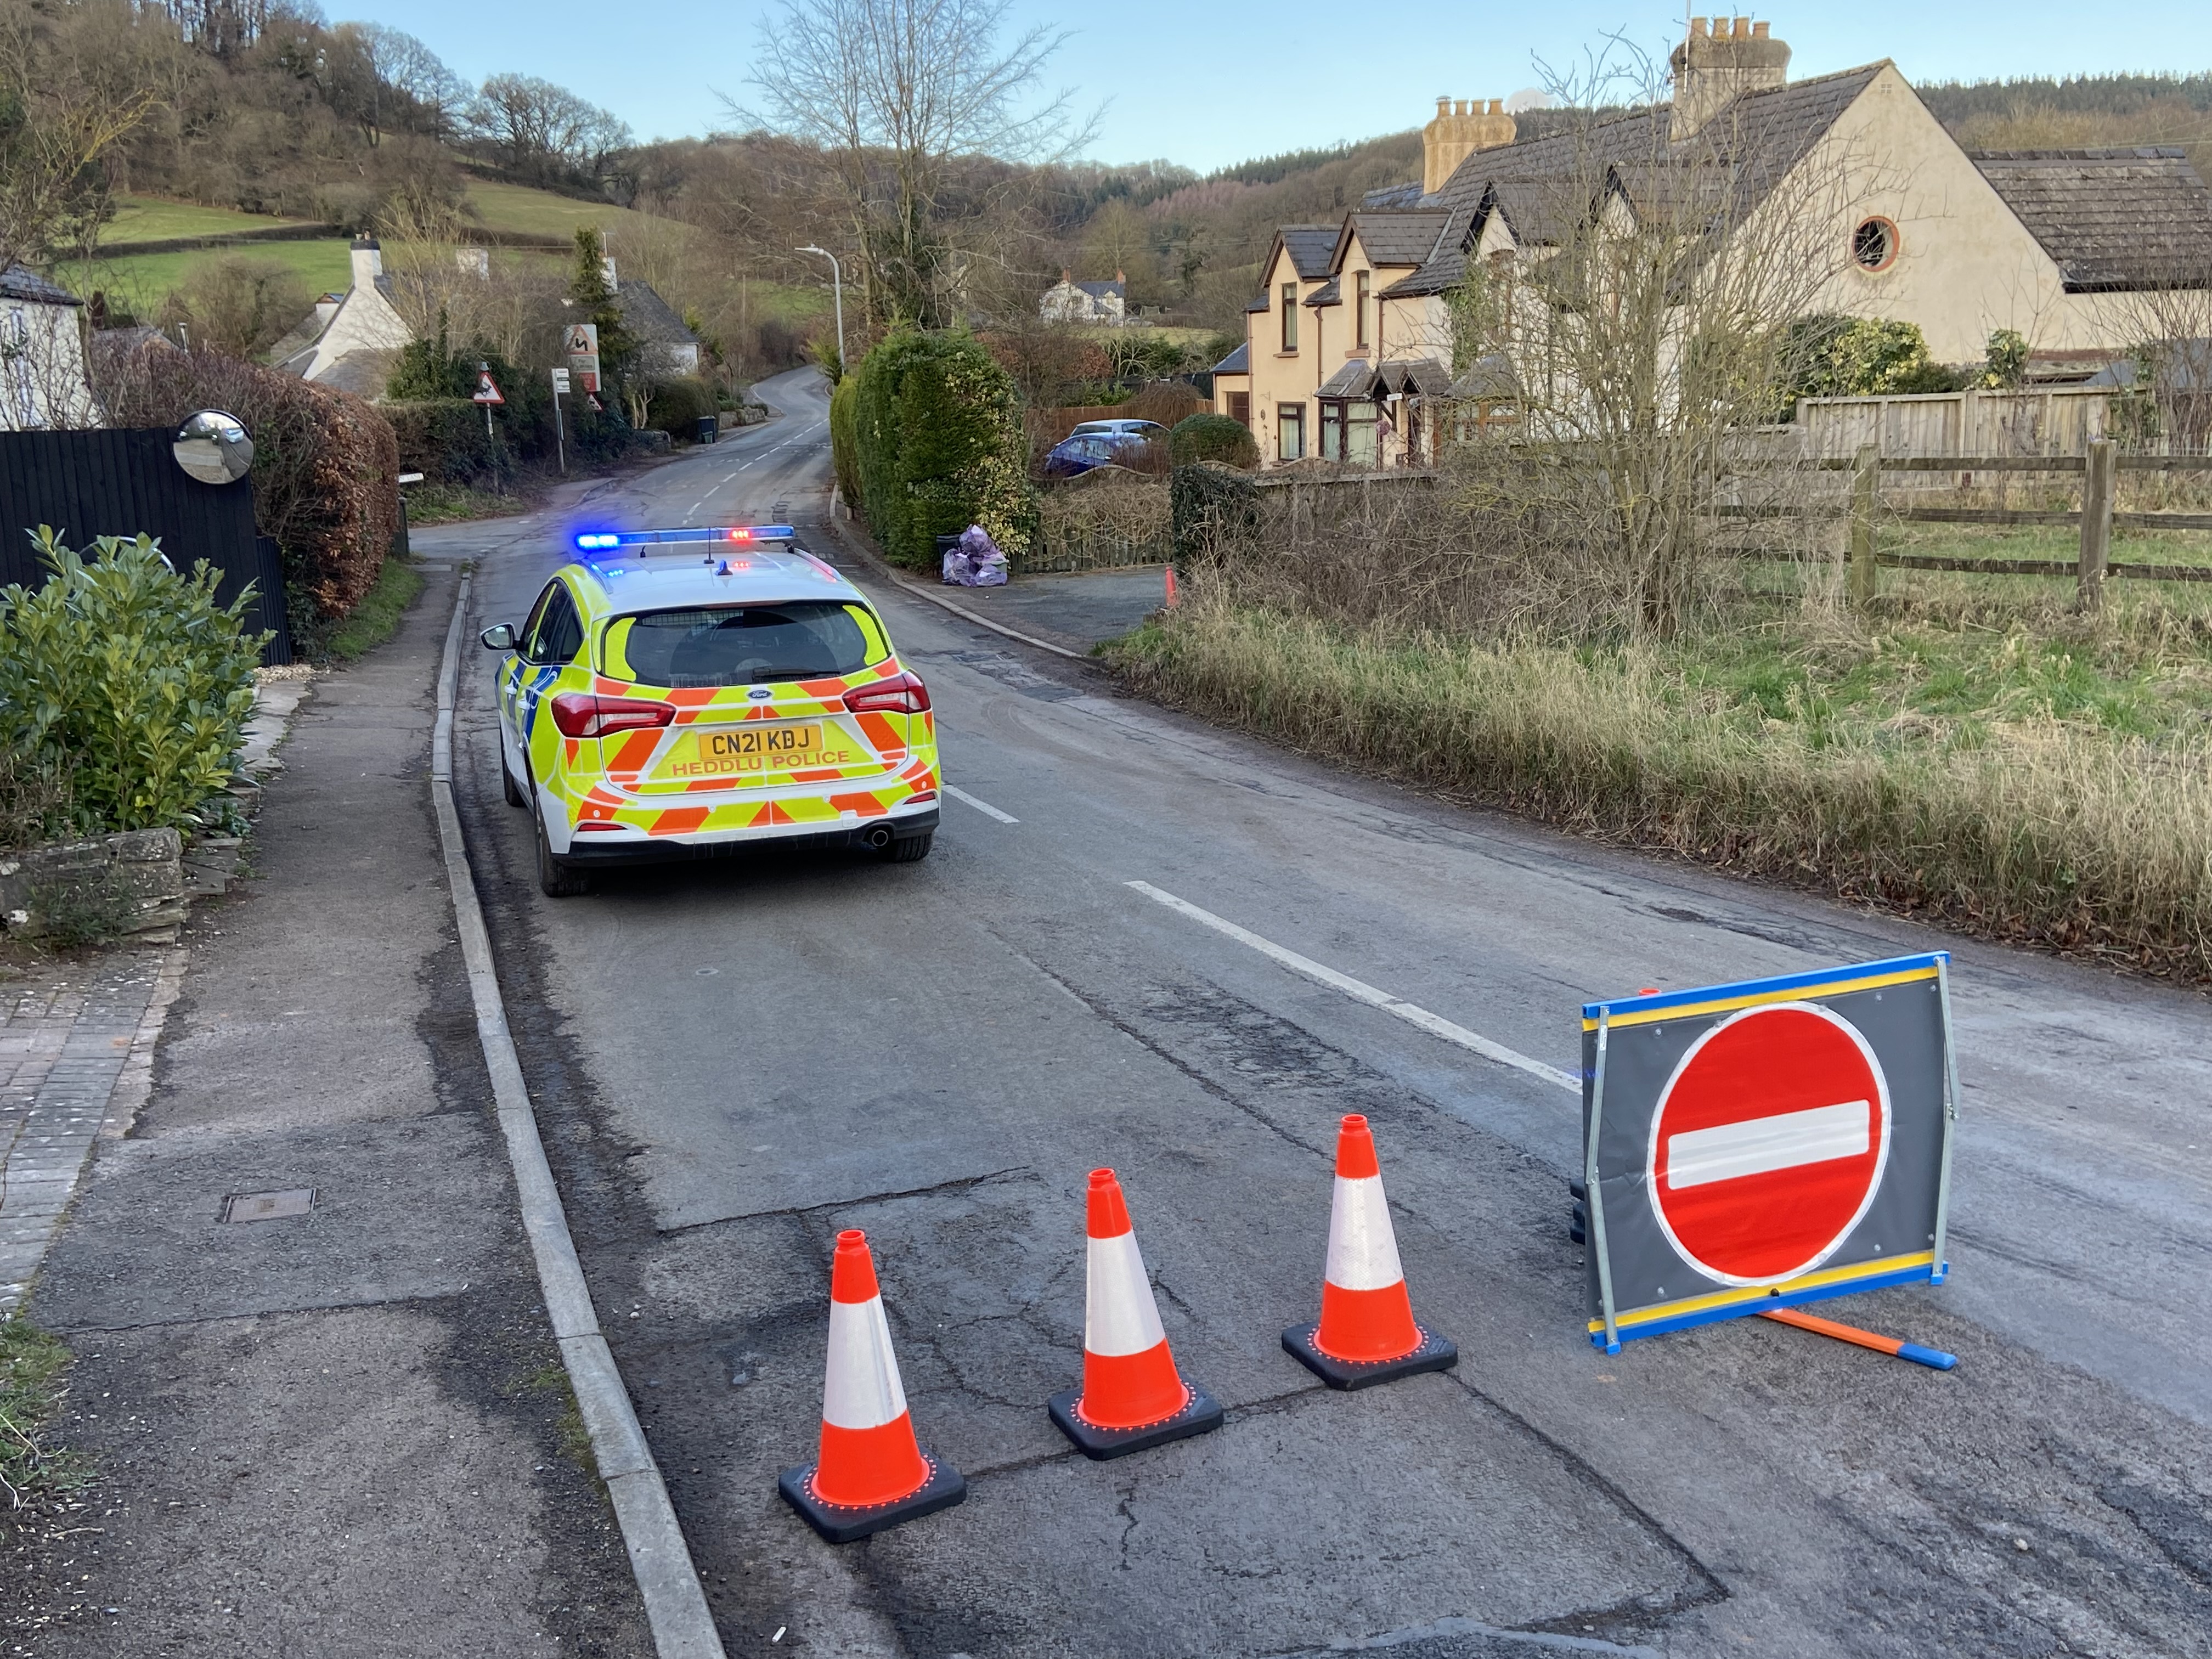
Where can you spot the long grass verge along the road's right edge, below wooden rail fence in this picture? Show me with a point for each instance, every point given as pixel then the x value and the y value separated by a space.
pixel 2010 784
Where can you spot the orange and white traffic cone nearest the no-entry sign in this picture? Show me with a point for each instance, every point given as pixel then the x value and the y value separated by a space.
pixel 1366 1331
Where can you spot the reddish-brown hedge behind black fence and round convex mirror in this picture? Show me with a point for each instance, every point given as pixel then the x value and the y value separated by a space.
pixel 326 468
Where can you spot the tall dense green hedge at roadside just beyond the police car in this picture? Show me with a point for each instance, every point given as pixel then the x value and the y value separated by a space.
pixel 939 446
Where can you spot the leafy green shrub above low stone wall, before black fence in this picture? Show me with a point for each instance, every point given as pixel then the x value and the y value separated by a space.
pixel 132 678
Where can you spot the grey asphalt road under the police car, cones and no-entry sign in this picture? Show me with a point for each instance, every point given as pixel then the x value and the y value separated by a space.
pixel 738 1061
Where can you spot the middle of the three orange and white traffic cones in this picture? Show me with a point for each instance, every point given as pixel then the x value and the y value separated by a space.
pixel 1131 1395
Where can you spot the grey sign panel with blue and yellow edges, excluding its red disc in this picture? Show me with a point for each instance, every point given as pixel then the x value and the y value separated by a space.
pixel 1631 1047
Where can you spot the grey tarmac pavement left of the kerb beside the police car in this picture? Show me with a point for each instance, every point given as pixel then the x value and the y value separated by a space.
pixel 340 1430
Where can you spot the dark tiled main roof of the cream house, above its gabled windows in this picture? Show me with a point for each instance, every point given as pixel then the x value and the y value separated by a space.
pixel 1541 185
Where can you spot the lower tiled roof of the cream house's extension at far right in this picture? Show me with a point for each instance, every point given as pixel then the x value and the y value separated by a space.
pixel 2111 220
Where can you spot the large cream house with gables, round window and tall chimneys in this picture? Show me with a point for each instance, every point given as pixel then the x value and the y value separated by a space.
pixel 2078 251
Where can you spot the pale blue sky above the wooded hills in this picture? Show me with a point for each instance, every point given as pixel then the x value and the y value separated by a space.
pixel 1180 76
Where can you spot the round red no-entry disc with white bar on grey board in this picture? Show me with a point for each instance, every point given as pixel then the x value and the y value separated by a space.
pixel 1768 1142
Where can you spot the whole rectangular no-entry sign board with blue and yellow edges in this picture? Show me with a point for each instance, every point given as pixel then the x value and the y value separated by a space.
pixel 1766 1145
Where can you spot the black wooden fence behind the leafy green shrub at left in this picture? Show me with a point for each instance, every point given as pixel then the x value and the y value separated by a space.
pixel 127 483
